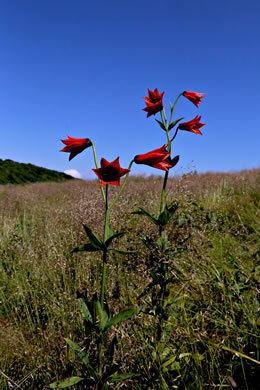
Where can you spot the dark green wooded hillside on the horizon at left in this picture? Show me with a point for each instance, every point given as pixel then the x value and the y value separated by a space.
pixel 18 173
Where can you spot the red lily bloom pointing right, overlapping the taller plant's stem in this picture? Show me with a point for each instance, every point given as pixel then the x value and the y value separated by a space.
pixel 156 158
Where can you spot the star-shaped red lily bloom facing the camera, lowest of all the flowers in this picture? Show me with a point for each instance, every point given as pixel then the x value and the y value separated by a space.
pixel 110 173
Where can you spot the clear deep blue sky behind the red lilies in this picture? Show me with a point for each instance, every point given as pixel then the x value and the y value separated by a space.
pixel 81 68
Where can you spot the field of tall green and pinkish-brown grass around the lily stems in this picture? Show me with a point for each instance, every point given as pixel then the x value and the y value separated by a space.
pixel 213 333
